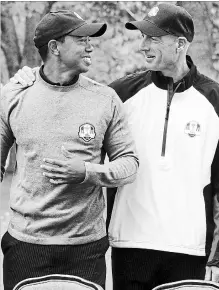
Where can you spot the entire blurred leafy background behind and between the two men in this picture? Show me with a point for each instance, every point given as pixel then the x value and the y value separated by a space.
pixel 115 55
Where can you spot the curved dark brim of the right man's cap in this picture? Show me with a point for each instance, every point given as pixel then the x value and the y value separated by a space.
pixel 146 27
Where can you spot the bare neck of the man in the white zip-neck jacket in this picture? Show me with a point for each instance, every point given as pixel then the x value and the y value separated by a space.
pixel 177 72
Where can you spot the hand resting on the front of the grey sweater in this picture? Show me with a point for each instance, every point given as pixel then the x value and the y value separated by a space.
pixel 67 171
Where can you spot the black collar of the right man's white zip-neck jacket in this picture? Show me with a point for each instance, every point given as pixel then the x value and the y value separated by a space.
pixel 186 82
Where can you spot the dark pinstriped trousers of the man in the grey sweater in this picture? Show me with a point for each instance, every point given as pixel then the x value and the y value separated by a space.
pixel 24 260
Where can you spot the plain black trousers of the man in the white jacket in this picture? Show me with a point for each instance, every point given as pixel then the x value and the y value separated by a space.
pixel 141 269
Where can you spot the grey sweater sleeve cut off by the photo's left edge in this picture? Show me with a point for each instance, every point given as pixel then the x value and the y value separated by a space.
pixel 7 138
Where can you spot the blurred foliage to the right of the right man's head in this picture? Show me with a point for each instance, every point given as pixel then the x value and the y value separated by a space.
pixel 205 47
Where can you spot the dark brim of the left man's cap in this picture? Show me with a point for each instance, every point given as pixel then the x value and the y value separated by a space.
pixel 90 29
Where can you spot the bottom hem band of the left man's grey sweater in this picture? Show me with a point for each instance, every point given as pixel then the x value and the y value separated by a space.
pixel 56 240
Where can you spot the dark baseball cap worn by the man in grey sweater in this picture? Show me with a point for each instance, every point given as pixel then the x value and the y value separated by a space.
pixel 59 23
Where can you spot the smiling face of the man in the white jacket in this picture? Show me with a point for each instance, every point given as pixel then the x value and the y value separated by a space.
pixel 160 52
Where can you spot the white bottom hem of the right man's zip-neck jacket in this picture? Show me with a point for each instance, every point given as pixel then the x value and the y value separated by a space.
pixel 199 251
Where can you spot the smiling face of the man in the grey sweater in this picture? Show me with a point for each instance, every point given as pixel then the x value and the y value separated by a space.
pixel 75 53
